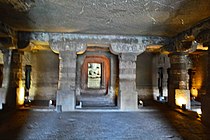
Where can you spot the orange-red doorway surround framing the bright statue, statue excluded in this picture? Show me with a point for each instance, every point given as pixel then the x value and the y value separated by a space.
pixel 105 74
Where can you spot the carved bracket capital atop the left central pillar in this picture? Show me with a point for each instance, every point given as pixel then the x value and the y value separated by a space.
pixel 63 45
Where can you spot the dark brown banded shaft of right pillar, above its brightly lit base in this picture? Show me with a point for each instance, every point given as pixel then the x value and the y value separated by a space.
pixel 178 75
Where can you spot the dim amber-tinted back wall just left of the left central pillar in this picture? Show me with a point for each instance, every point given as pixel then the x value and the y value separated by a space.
pixel 44 74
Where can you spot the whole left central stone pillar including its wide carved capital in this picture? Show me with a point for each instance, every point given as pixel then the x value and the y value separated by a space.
pixel 67 50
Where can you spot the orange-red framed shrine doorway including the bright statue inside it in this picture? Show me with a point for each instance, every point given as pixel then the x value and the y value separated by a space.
pixel 95 75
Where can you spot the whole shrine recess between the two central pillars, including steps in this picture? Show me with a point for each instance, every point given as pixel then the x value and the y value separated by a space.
pixel 97 78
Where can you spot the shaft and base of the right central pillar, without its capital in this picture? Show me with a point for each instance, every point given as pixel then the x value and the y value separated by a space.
pixel 128 99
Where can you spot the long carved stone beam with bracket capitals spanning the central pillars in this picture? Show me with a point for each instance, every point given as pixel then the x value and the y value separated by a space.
pixel 66 41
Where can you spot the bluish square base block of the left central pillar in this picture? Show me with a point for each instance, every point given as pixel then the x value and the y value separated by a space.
pixel 65 100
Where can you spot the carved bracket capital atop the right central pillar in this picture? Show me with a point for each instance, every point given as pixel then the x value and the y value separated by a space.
pixel 118 48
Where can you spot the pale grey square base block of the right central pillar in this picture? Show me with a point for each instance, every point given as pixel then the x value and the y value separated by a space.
pixel 128 101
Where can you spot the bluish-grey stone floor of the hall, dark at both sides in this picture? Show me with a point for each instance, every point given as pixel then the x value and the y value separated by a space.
pixel 153 123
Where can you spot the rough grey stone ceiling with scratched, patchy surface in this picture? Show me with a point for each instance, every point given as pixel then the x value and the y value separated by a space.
pixel 112 17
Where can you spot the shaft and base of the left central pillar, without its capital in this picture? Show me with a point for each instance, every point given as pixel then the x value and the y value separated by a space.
pixel 67 79
